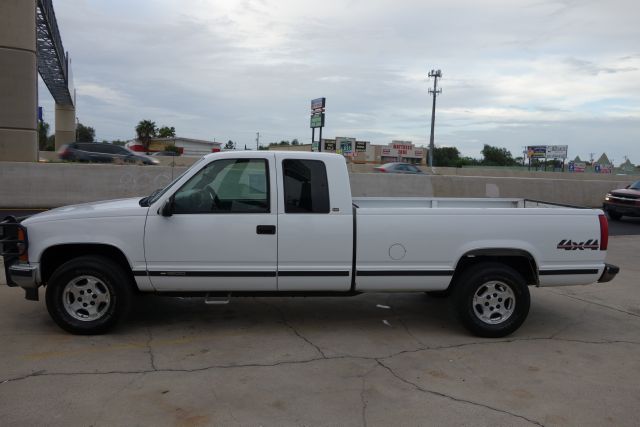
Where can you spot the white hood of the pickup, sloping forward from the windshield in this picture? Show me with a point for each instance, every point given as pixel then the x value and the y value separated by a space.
pixel 102 209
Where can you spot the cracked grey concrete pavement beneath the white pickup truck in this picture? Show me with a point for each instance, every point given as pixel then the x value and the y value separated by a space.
pixel 331 361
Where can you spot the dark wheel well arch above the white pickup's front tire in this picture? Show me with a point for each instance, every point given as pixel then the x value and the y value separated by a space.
pixel 54 256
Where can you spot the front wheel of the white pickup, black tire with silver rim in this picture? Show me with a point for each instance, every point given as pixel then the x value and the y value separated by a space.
pixel 72 278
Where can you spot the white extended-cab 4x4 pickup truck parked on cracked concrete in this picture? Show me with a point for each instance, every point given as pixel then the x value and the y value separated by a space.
pixel 284 223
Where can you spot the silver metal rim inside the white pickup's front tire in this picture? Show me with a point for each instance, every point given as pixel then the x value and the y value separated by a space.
pixel 86 298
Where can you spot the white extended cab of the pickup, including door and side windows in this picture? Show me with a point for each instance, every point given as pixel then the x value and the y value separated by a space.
pixel 253 221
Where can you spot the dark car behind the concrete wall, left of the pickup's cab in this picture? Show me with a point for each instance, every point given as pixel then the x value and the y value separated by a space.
pixel 100 152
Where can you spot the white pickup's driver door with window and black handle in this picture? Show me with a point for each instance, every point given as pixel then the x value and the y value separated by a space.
pixel 222 231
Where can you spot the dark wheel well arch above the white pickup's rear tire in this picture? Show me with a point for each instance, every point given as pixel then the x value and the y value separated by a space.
pixel 521 261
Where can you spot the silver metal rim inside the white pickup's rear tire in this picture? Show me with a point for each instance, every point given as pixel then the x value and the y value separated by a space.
pixel 494 302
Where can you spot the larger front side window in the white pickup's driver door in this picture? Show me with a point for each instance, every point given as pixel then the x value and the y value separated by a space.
pixel 226 186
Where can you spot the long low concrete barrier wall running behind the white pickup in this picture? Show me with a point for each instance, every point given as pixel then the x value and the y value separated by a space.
pixel 34 185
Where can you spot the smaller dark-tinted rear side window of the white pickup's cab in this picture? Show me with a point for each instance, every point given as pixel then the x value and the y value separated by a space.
pixel 306 189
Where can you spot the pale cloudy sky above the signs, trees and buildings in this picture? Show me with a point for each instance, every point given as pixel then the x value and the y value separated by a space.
pixel 515 73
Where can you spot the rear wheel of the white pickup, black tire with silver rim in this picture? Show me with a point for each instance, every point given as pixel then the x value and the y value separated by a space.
pixel 511 296
